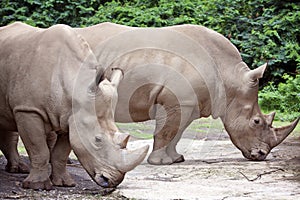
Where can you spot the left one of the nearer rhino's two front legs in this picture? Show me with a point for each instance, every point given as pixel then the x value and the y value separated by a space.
pixel 31 128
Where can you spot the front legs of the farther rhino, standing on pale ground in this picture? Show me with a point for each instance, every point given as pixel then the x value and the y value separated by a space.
pixel 171 121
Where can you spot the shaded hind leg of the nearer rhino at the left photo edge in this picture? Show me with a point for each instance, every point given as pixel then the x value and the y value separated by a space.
pixel 8 145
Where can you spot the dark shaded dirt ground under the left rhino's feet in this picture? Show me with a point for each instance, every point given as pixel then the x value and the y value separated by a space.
pixel 11 186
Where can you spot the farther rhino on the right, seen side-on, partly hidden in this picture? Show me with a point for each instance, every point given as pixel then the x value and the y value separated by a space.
pixel 180 73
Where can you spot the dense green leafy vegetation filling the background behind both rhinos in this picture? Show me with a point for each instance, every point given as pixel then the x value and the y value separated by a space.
pixel 263 30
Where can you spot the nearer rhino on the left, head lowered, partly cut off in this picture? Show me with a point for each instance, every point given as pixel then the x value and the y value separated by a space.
pixel 48 84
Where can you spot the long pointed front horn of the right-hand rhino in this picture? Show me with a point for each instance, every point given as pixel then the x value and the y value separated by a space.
pixel 281 133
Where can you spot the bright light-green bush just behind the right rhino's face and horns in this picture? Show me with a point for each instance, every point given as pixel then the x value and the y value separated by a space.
pixel 284 98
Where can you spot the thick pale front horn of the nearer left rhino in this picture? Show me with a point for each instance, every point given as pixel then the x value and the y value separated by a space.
pixel 131 158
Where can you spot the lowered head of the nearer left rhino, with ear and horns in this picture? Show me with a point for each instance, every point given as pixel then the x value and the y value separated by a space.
pixel 94 137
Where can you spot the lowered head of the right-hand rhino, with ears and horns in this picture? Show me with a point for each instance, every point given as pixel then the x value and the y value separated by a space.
pixel 250 130
